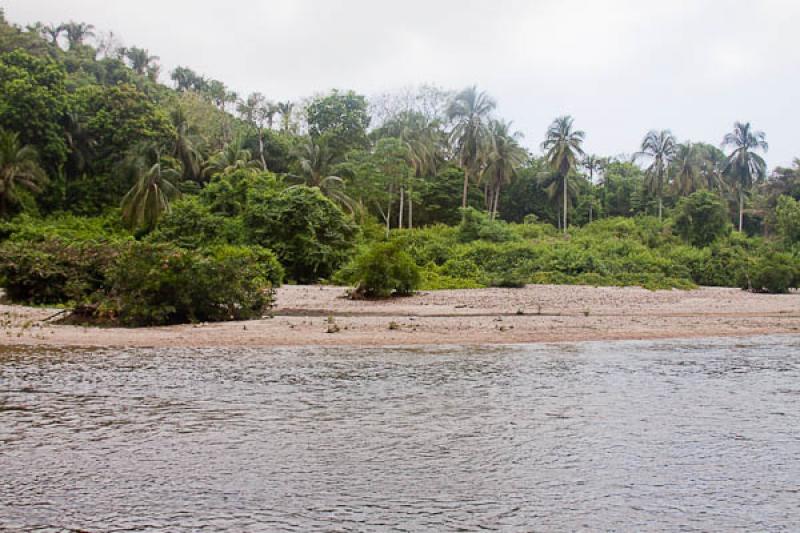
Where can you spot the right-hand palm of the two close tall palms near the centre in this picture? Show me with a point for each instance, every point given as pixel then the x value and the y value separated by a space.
pixel 505 158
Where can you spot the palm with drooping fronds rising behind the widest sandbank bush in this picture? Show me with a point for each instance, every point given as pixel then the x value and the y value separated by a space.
pixel 151 194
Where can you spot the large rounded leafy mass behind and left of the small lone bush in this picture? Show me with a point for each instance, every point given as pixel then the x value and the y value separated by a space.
pixel 311 236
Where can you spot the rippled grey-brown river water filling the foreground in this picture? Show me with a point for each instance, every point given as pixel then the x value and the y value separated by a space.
pixel 670 435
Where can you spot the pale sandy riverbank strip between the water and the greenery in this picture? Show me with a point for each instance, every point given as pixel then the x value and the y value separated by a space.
pixel 537 313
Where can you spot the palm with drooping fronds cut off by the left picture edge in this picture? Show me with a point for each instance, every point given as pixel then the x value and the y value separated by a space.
pixel 19 169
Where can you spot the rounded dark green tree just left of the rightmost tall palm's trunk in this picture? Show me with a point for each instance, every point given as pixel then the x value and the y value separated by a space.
pixel 701 218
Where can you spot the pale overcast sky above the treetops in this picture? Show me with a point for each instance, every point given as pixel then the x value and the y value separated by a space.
pixel 620 67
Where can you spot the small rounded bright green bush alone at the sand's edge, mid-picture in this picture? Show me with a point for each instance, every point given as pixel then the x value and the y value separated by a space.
pixel 384 269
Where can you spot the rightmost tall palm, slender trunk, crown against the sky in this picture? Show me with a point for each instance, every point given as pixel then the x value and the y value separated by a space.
pixel 744 166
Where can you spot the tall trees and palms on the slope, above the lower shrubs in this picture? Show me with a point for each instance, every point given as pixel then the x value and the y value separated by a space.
pixel 87 127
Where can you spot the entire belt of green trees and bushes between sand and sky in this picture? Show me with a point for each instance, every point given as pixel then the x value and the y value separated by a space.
pixel 139 203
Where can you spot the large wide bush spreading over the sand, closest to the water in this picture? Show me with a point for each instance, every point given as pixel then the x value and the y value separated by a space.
pixel 155 284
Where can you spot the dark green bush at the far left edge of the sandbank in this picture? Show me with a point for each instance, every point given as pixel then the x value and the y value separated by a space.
pixel 55 271
